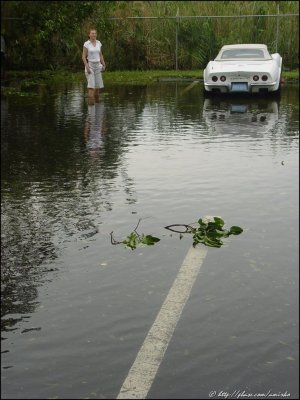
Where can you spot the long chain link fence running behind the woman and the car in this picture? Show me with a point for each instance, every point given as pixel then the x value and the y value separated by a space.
pixel 165 42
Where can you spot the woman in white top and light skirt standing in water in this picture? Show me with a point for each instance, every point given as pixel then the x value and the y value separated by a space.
pixel 93 60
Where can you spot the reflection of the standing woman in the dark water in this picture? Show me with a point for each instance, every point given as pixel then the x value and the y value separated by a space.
pixel 93 130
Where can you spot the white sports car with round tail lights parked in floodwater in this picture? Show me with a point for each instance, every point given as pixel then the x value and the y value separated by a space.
pixel 247 68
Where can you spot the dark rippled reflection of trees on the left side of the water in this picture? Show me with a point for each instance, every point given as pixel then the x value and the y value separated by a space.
pixel 52 190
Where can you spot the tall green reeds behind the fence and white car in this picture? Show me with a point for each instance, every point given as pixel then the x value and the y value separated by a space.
pixel 144 43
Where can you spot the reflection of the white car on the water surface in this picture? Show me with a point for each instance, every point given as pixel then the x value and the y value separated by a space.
pixel 241 116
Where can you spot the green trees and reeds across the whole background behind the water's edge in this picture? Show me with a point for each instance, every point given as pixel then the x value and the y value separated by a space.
pixel 49 34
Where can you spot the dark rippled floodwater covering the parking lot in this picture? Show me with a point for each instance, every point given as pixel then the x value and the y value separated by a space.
pixel 76 309
